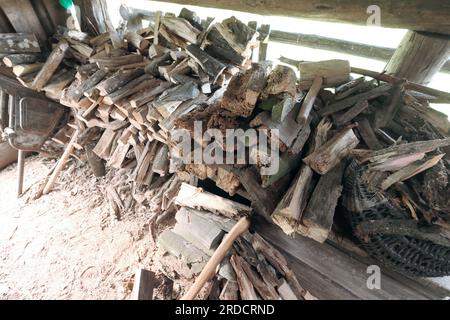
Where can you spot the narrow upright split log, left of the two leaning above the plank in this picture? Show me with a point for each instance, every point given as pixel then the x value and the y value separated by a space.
pixel 294 202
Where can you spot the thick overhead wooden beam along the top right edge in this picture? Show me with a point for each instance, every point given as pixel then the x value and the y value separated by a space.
pixel 422 15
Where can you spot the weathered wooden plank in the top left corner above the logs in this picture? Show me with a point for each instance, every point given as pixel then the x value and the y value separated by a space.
pixel 23 17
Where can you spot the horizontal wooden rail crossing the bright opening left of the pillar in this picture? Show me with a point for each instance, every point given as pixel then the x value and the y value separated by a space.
pixel 337 45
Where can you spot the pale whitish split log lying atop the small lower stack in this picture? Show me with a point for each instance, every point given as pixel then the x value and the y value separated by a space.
pixel 197 198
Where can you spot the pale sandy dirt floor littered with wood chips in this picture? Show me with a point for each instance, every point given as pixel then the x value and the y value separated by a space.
pixel 66 245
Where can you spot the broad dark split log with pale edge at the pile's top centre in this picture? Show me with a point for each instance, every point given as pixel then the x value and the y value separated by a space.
pixel 230 41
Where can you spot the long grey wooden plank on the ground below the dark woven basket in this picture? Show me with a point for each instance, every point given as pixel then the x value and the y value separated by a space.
pixel 345 271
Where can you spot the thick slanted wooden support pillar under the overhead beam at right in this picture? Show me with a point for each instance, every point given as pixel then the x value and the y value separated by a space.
pixel 419 56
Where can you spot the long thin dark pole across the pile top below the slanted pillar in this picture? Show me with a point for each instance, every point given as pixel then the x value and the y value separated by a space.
pixel 441 96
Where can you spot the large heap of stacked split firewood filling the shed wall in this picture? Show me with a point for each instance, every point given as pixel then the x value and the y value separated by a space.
pixel 131 89
